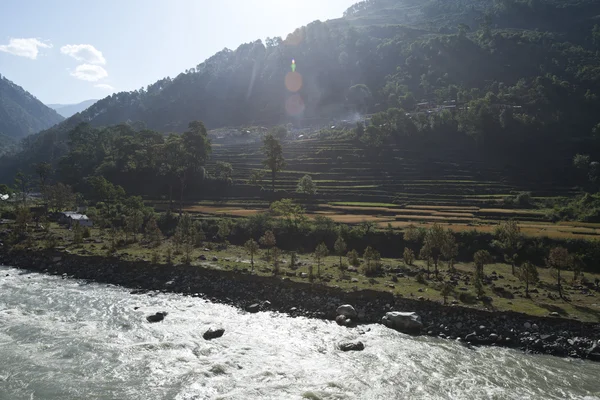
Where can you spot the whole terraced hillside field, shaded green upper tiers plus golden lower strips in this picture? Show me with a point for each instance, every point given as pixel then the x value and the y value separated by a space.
pixel 354 187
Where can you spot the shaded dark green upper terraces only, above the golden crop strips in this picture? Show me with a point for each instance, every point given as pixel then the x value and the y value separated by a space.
pixel 344 173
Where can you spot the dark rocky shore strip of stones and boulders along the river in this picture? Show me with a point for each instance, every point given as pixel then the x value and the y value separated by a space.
pixel 547 335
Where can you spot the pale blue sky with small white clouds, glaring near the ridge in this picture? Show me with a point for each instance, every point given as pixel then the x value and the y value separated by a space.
pixel 68 51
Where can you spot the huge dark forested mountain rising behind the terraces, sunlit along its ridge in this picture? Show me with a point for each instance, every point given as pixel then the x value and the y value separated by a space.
pixel 516 80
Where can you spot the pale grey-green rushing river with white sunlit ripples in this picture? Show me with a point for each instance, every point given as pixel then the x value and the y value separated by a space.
pixel 68 339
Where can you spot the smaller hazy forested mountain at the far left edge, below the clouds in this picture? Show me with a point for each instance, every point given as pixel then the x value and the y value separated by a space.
pixel 21 114
